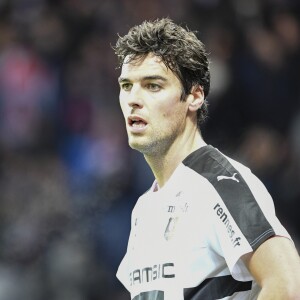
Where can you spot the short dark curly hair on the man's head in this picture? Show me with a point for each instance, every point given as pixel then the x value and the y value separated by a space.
pixel 179 48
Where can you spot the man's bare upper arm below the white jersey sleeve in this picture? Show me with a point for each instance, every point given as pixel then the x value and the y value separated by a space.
pixel 275 265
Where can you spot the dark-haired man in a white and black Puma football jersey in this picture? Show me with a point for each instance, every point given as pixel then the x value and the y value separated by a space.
pixel 206 229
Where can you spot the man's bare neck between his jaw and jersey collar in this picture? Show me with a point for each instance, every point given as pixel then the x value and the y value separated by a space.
pixel 163 165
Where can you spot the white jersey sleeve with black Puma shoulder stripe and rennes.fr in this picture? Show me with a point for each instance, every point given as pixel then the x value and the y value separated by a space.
pixel 240 208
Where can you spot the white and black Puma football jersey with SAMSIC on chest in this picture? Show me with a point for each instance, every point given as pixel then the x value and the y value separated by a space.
pixel 187 238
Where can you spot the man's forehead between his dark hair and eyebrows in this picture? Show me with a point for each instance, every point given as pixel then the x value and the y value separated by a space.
pixel 147 66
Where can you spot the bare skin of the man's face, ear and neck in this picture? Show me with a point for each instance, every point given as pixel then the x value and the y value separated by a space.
pixel 151 91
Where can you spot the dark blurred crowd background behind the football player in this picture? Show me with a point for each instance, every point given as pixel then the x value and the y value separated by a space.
pixel 68 179
